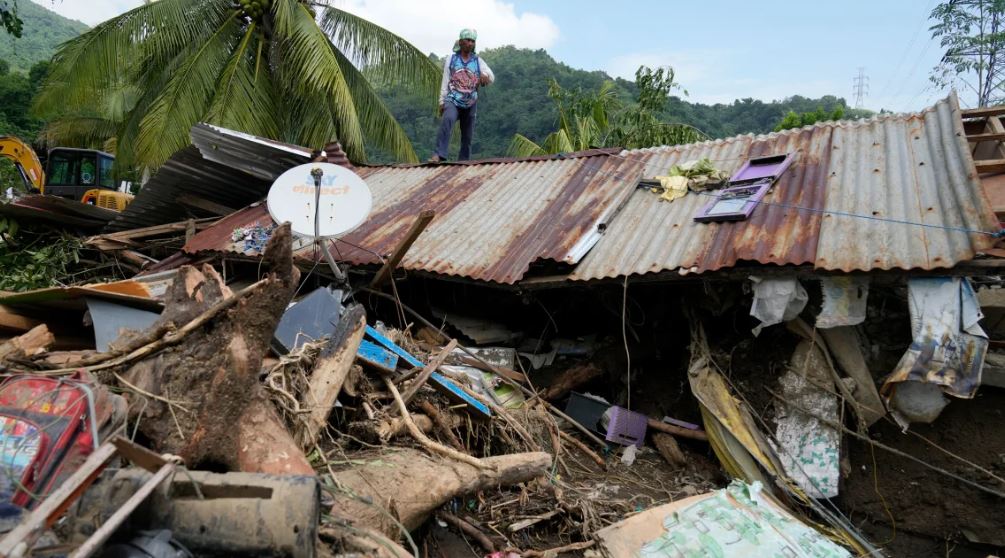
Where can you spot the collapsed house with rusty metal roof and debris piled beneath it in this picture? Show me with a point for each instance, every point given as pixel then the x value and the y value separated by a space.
pixel 592 345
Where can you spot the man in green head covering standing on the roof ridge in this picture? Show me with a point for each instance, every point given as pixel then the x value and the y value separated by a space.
pixel 464 73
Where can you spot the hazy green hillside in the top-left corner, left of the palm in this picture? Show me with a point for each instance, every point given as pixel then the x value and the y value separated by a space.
pixel 44 32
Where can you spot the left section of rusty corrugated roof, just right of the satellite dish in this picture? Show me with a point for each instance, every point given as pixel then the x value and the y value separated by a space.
pixel 493 221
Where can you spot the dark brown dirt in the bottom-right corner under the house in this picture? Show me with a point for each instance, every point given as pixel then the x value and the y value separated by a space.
pixel 939 511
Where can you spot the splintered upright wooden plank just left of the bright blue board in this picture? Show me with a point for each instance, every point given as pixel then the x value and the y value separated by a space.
pixel 331 369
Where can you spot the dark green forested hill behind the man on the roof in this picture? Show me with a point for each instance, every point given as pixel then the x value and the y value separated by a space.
pixel 519 103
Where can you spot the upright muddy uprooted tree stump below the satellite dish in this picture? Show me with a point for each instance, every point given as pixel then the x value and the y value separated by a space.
pixel 204 387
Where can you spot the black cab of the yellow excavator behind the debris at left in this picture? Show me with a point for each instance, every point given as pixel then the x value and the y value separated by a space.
pixel 72 173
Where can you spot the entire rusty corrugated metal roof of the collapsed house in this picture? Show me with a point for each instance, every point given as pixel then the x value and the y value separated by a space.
pixel 495 220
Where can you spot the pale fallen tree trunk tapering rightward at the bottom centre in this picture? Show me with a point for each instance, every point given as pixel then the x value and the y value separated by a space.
pixel 412 485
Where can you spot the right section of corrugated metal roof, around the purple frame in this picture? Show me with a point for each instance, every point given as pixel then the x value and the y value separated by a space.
pixel 908 168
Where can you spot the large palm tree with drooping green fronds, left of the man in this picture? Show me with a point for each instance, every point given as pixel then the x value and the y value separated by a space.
pixel 277 69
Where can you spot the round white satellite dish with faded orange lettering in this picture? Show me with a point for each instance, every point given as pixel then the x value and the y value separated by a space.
pixel 345 201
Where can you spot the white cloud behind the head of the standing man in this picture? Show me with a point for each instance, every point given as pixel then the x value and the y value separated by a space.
pixel 434 26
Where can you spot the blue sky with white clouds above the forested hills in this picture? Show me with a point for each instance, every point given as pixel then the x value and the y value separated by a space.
pixel 721 51
